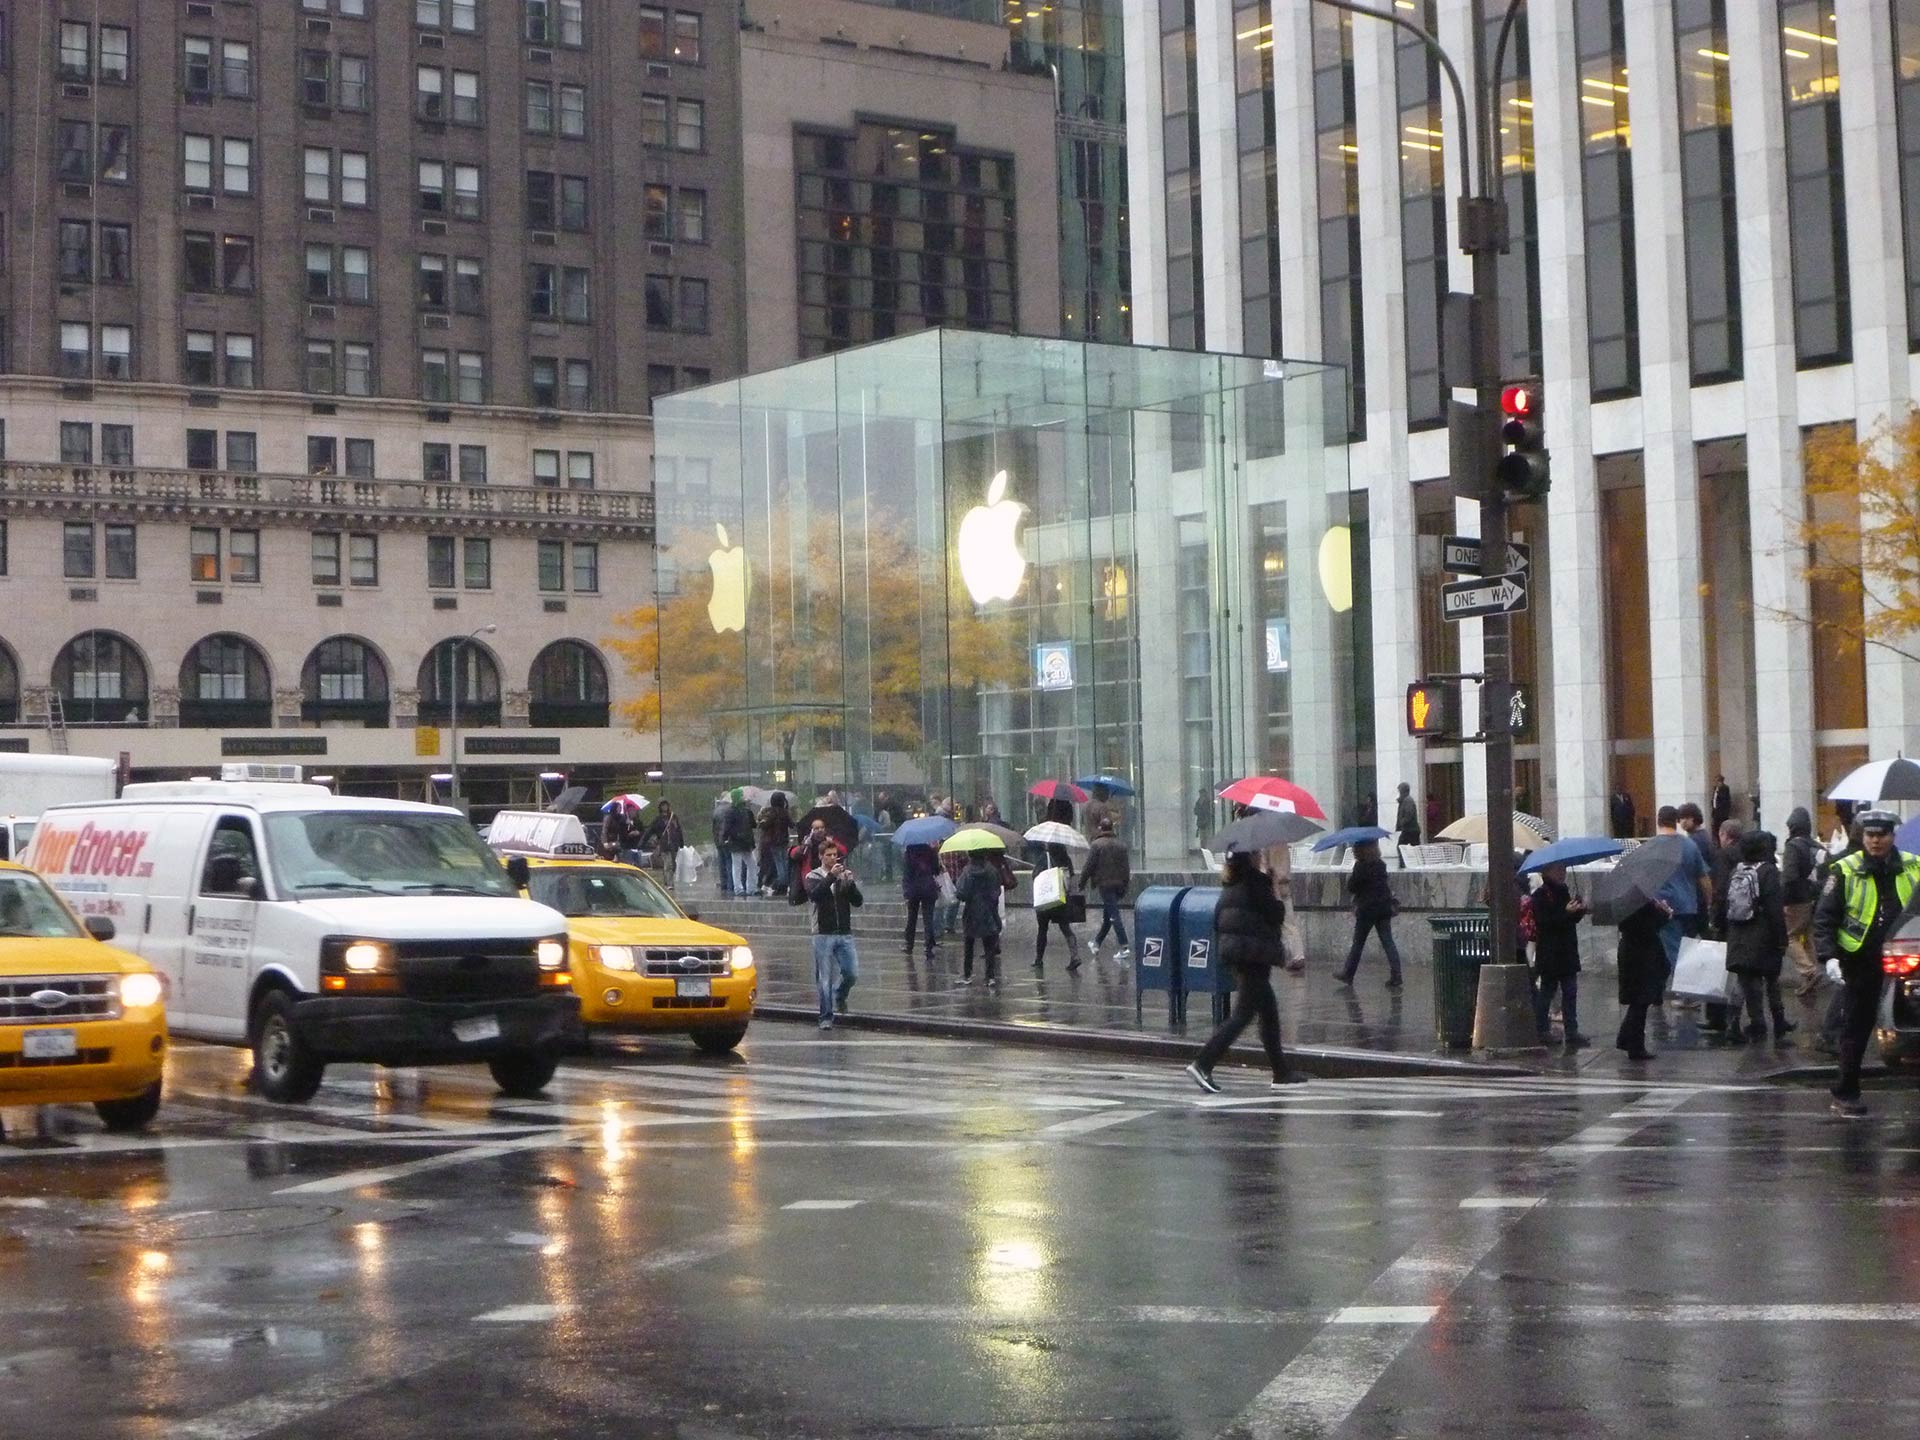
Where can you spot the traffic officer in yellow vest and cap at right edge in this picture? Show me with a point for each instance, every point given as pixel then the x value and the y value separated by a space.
pixel 1863 896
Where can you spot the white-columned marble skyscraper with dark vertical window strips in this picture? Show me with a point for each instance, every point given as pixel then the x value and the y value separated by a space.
pixel 1716 212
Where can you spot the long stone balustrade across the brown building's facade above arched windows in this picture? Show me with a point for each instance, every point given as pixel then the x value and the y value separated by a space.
pixel 322 496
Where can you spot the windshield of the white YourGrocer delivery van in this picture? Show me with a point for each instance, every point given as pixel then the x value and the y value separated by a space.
pixel 381 853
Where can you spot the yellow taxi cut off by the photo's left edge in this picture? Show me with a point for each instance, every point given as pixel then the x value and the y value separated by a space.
pixel 80 1020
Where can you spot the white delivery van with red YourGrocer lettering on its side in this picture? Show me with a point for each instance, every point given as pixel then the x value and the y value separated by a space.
pixel 322 928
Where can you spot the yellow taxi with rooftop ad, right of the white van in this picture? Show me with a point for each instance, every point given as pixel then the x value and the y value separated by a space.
pixel 638 961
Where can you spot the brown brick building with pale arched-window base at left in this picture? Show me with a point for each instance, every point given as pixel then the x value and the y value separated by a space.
pixel 329 337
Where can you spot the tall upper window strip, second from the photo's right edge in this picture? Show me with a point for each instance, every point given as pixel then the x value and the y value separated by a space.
pixel 1817 183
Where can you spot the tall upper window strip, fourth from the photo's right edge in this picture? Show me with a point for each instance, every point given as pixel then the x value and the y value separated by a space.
pixel 1608 185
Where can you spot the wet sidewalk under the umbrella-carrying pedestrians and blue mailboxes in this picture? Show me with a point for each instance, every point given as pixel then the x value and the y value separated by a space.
pixel 1333 1028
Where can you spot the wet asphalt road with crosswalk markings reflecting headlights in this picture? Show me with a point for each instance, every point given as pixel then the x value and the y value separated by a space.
pixel 848 1236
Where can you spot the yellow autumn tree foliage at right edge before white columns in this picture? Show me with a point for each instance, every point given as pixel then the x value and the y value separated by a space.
pixel 1863 537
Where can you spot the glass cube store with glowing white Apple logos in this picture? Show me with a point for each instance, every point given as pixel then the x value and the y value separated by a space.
pixel 961 564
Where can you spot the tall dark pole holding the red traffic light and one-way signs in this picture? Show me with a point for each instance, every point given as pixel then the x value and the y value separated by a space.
pixel 1483 235
